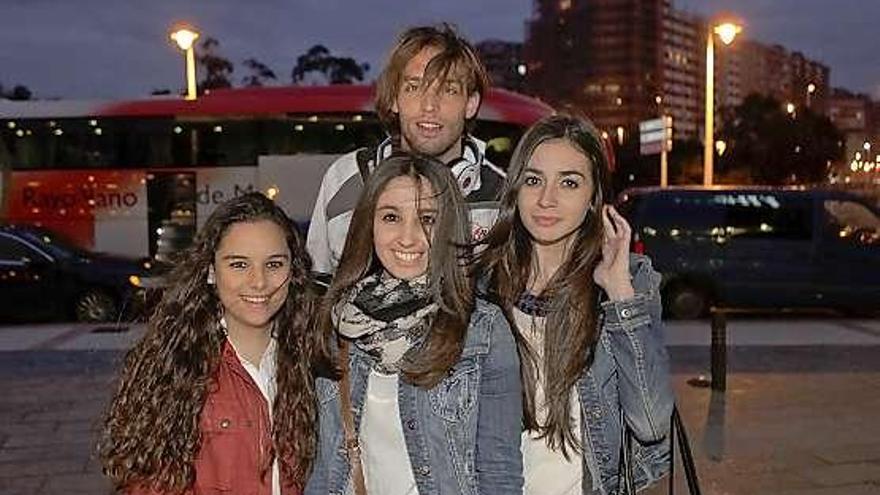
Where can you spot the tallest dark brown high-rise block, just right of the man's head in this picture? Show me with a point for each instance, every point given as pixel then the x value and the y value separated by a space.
pixel 601 57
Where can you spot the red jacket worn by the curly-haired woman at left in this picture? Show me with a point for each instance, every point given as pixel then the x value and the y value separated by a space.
pixel 236 436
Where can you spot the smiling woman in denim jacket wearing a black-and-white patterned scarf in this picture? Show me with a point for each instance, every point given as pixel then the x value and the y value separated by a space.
pixel 430 397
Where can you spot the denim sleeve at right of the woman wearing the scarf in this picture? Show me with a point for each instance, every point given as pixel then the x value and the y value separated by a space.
pixel 499 424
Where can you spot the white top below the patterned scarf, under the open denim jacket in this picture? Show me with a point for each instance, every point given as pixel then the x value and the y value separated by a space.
pixel 387 469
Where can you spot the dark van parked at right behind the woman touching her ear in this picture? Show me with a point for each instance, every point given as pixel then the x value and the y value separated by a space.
pixel 758 248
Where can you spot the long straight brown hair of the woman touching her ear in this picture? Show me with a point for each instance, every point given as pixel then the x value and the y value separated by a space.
pixel 571 327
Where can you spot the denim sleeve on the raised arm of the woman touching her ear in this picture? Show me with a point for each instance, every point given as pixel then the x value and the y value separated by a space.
pixel 632 330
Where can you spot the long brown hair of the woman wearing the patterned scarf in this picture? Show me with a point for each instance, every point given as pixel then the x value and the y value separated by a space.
pixel 450 285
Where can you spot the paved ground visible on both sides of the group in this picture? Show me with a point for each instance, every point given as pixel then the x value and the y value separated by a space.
pixel 801 413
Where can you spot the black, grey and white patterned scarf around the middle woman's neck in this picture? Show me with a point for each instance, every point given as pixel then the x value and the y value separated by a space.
pixel 386 317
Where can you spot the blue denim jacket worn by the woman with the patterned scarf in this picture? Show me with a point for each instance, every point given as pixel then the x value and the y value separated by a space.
pixel 462 435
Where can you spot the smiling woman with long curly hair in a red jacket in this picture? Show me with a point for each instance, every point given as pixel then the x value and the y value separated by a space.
pixel 219 394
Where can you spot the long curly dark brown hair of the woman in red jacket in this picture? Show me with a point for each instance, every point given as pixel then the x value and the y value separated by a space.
pixel 151 432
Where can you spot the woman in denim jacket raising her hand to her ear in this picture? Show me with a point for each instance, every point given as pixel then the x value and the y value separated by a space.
pixel 587 314
